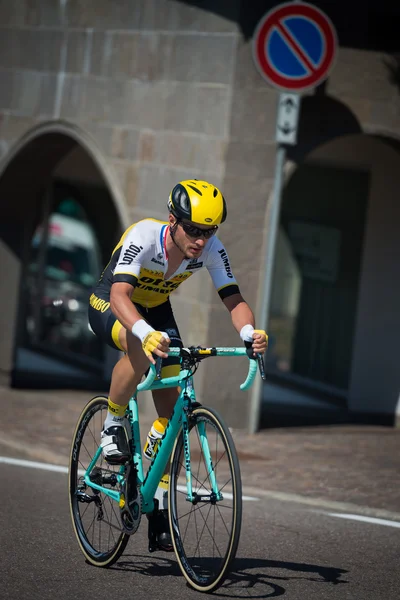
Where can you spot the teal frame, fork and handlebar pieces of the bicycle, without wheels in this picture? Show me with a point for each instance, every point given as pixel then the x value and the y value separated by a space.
pixel 147 484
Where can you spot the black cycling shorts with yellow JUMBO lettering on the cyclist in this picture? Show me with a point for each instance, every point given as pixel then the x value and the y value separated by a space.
pixel 107 327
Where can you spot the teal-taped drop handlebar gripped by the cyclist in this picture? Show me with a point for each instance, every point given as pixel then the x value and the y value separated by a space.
pixel 203 353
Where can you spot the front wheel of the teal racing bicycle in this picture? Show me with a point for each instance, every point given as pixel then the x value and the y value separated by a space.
pixel 205 529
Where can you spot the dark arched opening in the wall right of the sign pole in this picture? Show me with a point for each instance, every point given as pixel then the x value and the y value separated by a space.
pixel 334 323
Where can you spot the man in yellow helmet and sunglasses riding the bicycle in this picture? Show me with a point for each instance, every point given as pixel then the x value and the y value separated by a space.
pixel 130 308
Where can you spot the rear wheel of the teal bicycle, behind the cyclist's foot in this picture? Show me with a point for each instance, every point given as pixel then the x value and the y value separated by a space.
pixel 95 516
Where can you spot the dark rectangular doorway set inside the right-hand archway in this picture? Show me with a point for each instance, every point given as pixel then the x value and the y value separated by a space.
pixel 316 279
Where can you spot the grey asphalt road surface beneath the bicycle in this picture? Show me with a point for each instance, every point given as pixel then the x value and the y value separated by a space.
pixel 286 549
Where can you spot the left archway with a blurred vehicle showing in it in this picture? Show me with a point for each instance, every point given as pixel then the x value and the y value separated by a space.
pixel 62 215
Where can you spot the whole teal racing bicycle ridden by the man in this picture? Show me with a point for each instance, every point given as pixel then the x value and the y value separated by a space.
pixel 107 501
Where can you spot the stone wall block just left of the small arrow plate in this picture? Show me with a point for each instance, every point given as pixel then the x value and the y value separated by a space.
pixel 254 114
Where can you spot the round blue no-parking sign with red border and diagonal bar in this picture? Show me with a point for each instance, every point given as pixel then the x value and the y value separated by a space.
pixel 294 46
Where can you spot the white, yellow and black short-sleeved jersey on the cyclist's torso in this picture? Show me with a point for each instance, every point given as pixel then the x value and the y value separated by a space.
pixel 141 259
